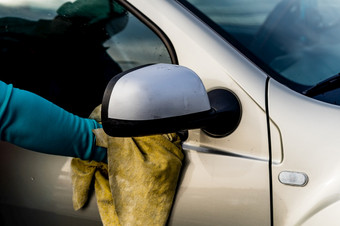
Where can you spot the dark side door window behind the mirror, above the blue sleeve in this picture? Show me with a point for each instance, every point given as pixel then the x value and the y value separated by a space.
pixel 67 51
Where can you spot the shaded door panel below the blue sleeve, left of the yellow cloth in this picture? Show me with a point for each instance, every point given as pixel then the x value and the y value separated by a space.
pixel 36 188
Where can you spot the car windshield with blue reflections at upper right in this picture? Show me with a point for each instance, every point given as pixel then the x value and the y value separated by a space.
pixel 296 41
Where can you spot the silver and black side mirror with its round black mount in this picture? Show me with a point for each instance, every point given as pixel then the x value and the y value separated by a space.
pixel 165 98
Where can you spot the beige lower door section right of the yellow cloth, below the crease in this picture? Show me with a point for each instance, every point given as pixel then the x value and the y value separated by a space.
pixel 221 190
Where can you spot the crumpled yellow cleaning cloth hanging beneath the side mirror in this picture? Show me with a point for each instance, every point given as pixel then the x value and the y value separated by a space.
pixel 138 184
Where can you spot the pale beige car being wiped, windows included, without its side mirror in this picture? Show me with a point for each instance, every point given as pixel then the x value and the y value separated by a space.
pixel 279 161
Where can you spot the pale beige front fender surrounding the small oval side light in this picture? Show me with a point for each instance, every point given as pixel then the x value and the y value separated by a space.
pixel 302 122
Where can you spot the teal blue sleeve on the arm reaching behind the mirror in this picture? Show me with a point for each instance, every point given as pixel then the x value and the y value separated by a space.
pixel 30 121
